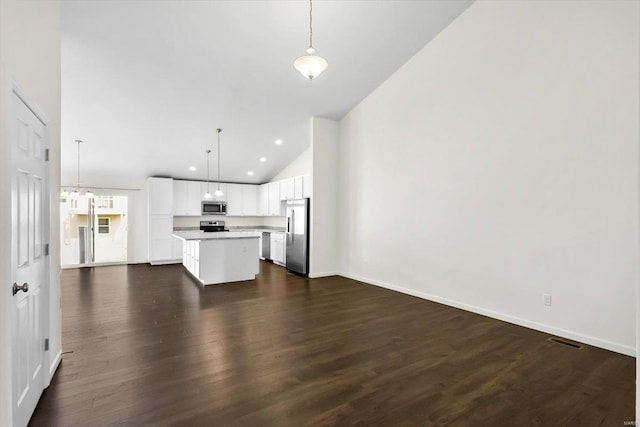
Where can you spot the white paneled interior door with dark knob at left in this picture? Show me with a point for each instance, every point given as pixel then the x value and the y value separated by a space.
pixel 29 216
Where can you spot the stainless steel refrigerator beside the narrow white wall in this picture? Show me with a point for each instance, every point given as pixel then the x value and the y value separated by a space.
pixel 297 236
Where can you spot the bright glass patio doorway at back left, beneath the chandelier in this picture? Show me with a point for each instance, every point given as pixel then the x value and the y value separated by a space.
pixel 93 230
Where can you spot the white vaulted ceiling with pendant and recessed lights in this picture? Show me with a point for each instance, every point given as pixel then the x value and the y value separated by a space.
pixel 146 83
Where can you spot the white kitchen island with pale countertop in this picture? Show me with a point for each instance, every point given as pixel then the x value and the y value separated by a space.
pixel 220 257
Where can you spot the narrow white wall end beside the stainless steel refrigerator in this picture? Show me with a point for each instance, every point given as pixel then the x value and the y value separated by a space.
pixel 324 254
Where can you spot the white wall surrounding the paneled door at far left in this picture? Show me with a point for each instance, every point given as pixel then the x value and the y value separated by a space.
pixel 30 55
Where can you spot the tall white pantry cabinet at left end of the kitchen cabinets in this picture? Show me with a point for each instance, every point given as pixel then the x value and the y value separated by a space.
pixel 160 225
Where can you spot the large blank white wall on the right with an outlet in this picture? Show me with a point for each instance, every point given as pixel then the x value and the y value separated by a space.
pixel 507 149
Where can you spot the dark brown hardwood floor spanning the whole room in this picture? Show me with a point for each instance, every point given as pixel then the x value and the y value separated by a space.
pixel 147 346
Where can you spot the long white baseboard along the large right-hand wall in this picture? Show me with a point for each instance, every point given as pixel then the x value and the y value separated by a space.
pixel 586 339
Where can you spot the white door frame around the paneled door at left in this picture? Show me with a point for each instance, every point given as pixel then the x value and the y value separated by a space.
pixel 8 87
